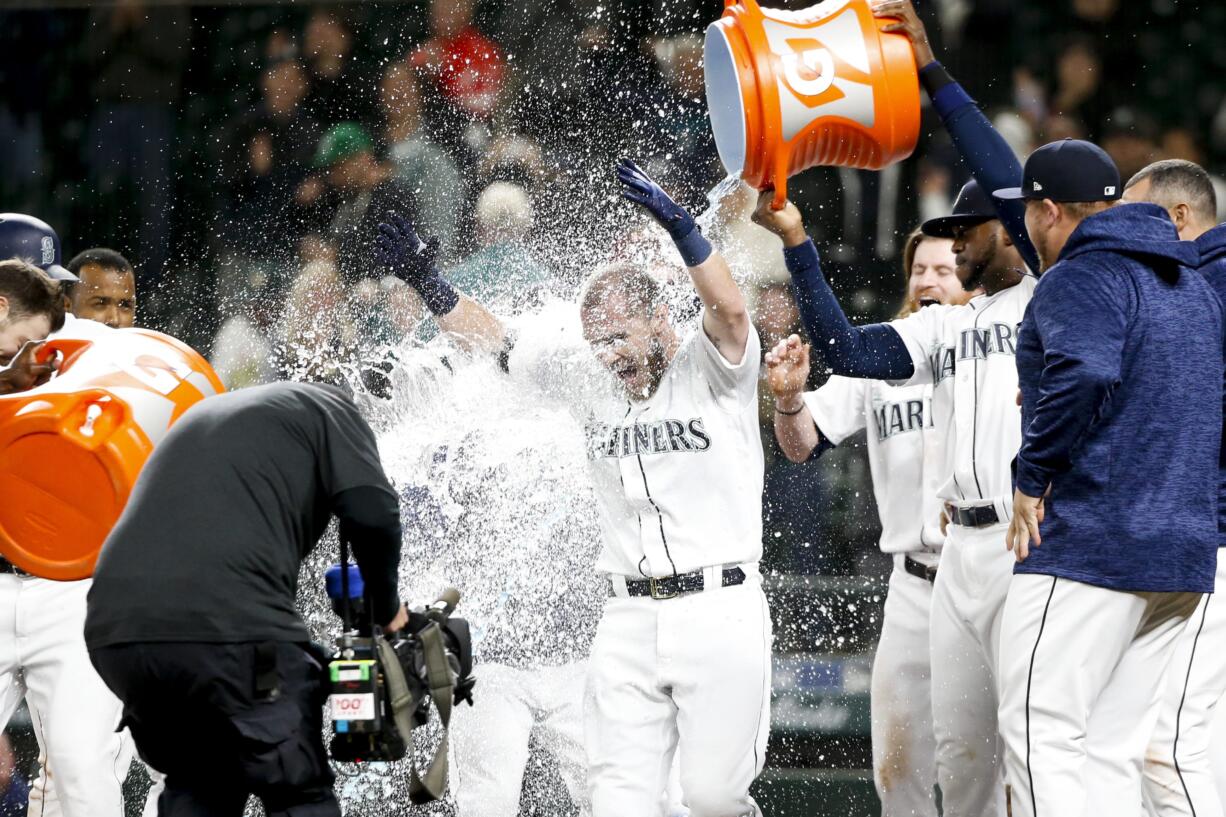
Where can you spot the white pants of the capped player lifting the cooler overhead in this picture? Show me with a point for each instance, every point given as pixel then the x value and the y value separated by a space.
pixel 967 605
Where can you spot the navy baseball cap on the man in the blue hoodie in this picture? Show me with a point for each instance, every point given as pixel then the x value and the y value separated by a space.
pixel 1071 170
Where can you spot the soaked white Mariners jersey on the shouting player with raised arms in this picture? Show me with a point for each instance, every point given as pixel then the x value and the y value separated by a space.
pixel 677 478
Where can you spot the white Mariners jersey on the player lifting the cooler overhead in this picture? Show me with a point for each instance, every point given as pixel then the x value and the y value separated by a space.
pixel 967 355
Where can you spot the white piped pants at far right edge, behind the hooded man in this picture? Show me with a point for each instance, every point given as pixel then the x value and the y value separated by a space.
pixel 1180 778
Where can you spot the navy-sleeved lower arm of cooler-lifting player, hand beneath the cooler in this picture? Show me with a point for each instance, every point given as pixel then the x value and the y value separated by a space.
pixel 876 351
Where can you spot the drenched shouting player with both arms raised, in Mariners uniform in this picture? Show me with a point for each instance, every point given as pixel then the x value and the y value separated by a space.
pixel 681 661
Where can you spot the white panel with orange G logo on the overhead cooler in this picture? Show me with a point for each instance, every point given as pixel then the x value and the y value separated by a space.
pixel 824 72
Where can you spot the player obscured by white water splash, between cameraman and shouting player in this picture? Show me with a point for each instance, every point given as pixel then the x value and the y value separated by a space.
pixel 534 608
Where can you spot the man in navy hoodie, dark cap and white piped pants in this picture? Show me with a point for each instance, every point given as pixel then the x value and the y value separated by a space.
pixel 1120 360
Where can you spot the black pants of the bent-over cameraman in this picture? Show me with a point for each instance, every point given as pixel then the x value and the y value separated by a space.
pixel 225 722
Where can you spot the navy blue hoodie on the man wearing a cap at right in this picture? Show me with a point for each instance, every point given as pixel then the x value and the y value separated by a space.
pixel 1120 361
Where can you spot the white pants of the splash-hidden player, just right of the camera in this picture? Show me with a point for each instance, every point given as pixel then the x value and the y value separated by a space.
pixel 490 743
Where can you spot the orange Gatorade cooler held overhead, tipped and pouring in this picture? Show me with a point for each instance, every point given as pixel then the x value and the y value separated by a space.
pixel 791 90
